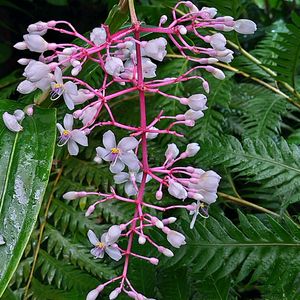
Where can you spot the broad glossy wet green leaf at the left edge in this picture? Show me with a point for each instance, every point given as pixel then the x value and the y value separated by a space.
pixel 25 164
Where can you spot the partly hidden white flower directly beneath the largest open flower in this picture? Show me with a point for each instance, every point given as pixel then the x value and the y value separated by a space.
pixel 130 179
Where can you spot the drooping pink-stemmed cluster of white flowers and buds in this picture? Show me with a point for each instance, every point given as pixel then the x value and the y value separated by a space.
pixel 131 61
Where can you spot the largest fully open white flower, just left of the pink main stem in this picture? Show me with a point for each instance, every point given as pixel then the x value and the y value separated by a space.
pixel 119 155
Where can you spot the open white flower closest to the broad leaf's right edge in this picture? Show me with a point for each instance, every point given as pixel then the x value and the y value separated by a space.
pixel 71 137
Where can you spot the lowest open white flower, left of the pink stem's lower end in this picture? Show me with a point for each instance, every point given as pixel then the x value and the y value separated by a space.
pixel 107 243
